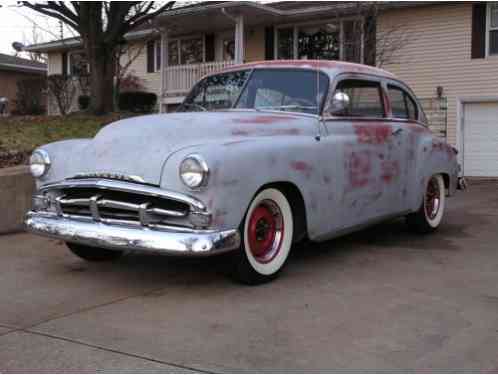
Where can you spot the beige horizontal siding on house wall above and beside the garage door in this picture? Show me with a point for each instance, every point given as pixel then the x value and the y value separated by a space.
pixel 438 54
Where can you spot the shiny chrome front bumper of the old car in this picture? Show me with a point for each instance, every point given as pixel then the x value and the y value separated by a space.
pixel 172 241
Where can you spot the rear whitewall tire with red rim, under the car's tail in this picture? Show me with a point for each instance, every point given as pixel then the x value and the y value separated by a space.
pixel 430 214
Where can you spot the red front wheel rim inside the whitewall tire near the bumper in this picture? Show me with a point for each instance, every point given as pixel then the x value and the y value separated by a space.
pixel 265 231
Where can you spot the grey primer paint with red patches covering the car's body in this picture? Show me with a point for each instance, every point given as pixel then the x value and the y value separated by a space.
pixel 354 173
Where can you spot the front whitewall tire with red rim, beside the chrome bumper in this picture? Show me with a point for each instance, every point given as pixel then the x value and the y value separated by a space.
pixel 267 232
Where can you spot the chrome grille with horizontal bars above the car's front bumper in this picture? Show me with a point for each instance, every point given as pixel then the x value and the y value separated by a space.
pixel 123 203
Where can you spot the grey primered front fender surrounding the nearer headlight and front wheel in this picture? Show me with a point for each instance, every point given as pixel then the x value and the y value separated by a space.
pixel 238 169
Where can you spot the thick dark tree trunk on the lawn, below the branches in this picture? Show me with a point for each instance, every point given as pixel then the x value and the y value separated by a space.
pixel 102 71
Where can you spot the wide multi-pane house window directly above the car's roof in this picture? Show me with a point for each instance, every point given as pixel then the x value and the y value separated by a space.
pixel 328 41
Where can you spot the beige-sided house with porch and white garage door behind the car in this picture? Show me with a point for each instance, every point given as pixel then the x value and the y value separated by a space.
pixel 447 52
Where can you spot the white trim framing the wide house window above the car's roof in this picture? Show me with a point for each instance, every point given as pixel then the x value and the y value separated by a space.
pixel 295 28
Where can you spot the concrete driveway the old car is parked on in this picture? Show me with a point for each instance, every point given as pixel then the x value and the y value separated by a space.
pixel 381 299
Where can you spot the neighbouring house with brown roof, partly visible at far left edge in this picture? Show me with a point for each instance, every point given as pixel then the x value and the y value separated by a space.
pixel 14 70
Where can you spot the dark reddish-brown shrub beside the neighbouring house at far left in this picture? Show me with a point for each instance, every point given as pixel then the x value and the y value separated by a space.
pixel 30 97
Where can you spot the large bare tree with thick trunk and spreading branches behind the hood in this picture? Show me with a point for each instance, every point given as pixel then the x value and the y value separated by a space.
pixel 102 27
